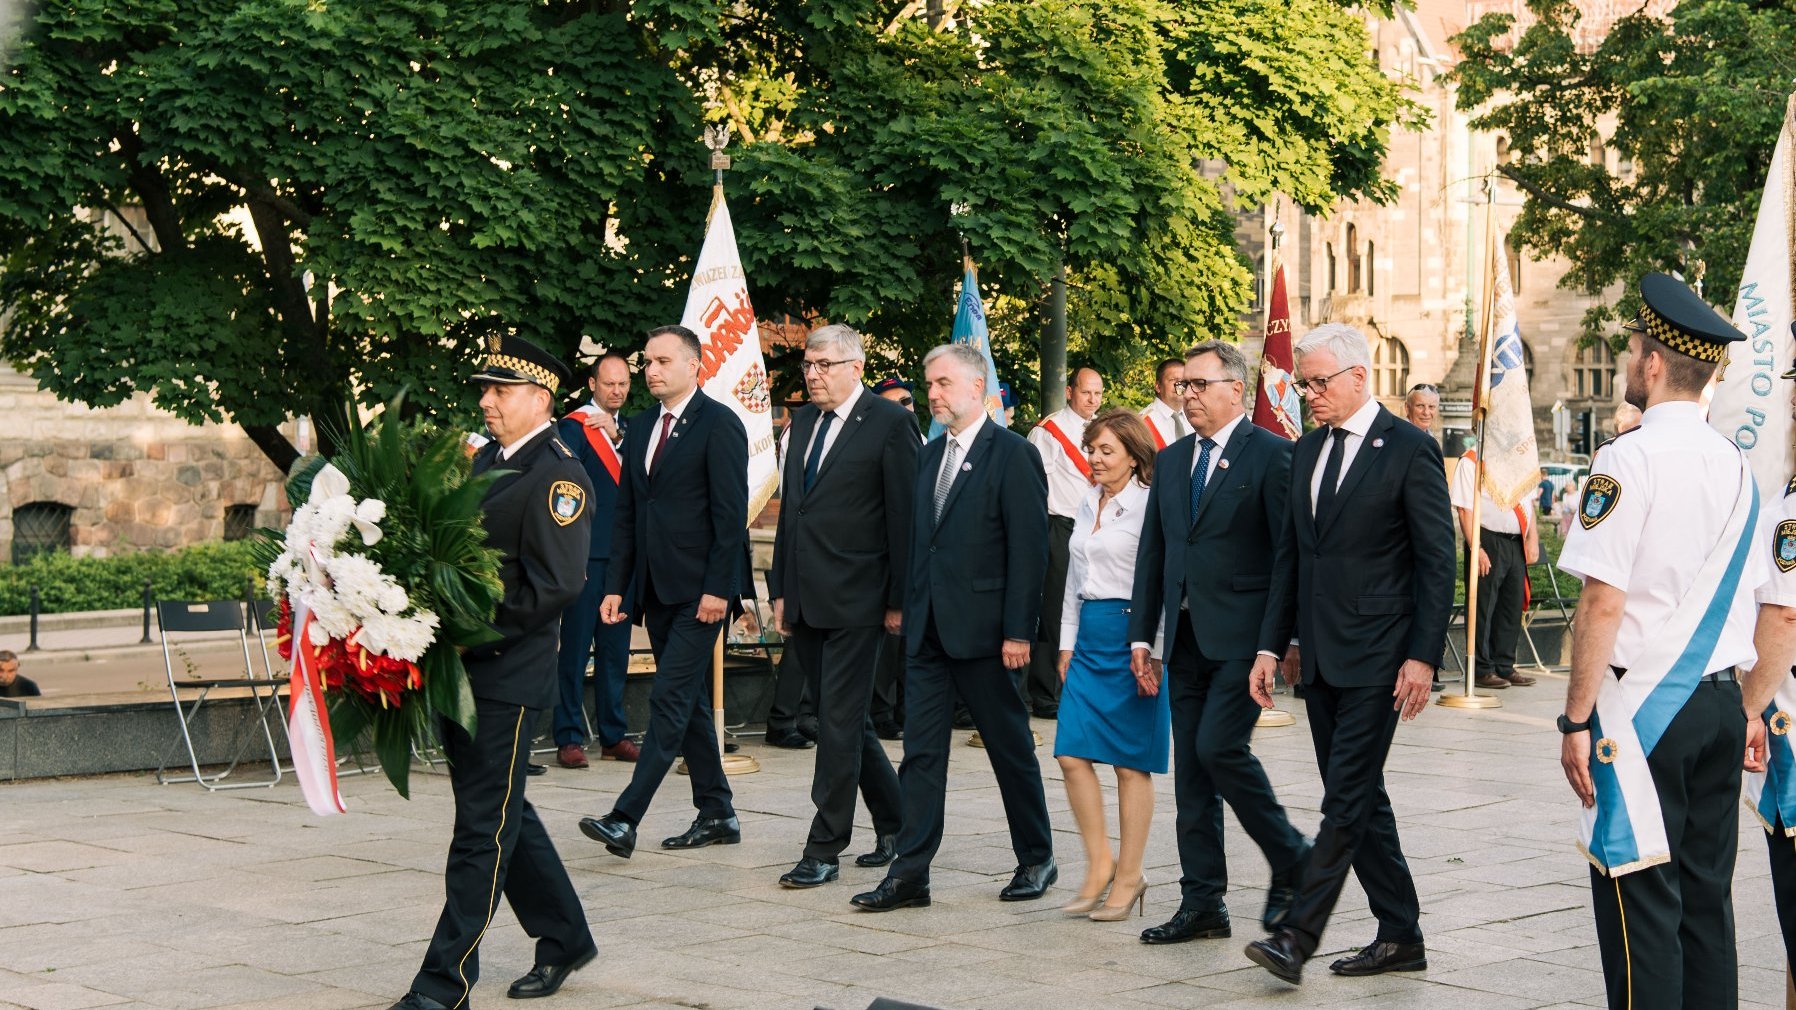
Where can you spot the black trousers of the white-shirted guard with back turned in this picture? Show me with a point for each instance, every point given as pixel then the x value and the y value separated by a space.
pixel 1668 932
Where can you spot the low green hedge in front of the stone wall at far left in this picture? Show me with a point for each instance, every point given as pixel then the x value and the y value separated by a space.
pixel 67 585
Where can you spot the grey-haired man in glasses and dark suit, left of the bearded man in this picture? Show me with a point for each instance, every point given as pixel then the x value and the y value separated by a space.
pixel 838 585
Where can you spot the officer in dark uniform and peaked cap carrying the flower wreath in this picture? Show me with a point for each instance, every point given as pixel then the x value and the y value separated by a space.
pixel 536 515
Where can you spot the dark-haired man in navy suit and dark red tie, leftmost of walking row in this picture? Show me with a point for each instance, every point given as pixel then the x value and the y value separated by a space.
pixel 678 544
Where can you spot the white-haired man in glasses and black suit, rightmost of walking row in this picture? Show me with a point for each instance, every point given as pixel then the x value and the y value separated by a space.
pixel 1366 578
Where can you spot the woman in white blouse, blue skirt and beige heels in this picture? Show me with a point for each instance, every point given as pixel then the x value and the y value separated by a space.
pixel 1109 716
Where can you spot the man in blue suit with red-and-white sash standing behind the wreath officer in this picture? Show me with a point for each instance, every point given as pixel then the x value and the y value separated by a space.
pixel 594 434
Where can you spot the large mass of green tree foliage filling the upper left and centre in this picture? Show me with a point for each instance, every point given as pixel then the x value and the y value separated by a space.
pixel 173 175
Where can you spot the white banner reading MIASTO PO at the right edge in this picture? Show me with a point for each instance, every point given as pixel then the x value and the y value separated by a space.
pixel 1752 405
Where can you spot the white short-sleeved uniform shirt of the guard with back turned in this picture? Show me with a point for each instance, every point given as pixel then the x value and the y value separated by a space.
pixel 1677 479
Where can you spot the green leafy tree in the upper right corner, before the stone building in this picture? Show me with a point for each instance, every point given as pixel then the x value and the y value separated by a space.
pixel 1642 152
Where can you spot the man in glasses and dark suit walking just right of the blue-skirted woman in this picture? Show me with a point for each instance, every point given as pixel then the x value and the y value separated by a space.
pixel 1202 574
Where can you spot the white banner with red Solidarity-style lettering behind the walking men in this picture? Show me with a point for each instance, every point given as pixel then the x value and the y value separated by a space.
pixel 732 368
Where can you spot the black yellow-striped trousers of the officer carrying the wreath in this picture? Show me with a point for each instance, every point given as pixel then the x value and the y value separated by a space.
pixel 500 847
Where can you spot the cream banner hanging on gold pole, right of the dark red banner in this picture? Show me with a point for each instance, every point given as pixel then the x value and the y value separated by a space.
pixel 1511 456
